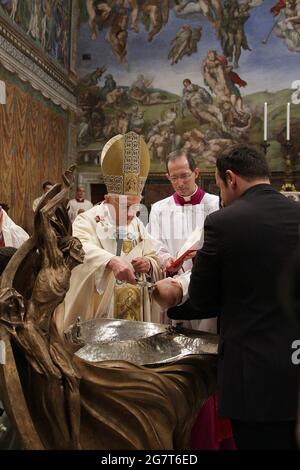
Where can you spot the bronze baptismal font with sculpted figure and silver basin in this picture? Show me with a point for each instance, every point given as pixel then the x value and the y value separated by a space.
pixel 68 392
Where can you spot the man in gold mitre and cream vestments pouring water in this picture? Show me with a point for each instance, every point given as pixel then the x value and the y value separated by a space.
pixel 119 255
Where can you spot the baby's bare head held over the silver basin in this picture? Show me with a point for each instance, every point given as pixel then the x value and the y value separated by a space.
pixel 167 292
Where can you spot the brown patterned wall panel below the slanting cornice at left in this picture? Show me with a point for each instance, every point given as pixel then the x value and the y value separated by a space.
pixel 33 146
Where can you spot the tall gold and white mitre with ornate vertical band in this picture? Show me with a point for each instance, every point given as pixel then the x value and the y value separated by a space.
pixel 125 163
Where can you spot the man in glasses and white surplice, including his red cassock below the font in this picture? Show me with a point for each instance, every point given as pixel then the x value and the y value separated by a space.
pixel 171 222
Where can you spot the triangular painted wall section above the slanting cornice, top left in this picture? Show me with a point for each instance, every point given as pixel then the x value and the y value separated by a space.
pixel 46 22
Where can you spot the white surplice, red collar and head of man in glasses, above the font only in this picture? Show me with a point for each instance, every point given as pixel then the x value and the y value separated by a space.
pixel 173 219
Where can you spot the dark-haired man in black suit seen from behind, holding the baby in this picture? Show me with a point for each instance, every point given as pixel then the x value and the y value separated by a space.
pixel 236 276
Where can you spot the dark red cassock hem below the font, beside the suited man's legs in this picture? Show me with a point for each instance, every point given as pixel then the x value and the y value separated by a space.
pixel 210 432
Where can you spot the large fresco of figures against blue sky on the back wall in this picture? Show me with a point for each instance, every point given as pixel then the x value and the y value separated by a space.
pixel 187 74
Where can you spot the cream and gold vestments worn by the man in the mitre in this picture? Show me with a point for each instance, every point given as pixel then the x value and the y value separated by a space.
pixel 96 230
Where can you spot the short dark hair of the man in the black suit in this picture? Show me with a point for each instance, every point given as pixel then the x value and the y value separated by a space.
pixel 247 161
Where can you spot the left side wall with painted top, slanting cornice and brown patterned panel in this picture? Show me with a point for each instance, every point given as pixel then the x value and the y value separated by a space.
pixel 37 100
